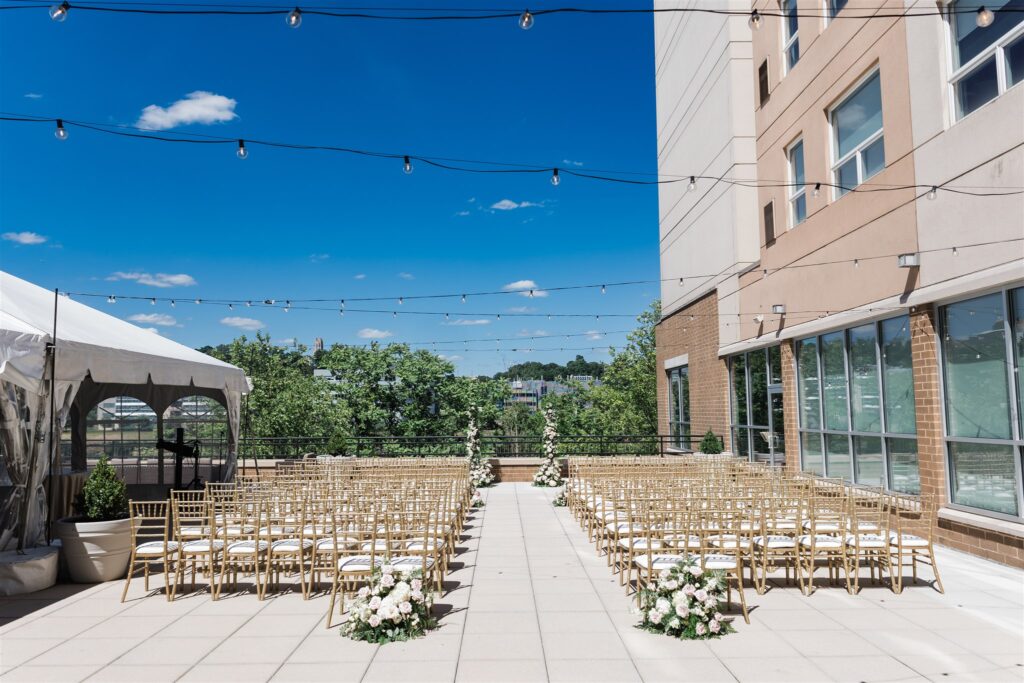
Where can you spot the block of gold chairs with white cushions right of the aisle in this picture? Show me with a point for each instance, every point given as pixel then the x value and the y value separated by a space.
pixel 749 521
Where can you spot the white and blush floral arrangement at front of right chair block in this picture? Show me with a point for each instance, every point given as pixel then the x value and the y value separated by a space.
pixel 685 603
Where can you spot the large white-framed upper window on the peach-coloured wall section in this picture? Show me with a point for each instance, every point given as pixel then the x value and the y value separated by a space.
pixel 858 141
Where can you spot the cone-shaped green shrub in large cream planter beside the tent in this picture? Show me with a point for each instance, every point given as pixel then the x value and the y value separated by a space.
pixel 97 543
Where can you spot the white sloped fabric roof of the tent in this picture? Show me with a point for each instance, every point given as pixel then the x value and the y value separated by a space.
pixel 91 343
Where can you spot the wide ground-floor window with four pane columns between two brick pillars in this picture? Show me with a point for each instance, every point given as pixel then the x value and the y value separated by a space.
pixel 857 406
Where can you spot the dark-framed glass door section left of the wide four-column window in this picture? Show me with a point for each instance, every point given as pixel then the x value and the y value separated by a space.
pixel 758 422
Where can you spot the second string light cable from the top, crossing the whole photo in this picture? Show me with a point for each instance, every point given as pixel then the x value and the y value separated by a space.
pixel 244 145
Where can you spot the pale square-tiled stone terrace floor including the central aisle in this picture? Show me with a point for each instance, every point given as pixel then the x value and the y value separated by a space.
pixel 529 601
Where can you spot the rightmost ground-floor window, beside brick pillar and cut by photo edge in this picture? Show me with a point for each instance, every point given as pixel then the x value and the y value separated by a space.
pixel 983 355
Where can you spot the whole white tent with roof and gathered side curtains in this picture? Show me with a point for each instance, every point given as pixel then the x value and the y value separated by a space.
pixel 97 356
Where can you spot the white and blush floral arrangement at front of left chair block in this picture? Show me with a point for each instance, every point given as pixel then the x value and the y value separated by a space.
pixel 393 608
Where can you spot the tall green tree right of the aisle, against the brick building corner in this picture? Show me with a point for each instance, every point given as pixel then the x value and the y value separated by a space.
pixel 626 403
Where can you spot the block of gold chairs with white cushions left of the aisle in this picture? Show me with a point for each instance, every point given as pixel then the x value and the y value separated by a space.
pixel 327 525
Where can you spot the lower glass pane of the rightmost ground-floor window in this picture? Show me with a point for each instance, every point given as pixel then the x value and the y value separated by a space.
pixel 984 477
